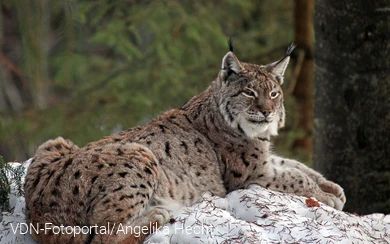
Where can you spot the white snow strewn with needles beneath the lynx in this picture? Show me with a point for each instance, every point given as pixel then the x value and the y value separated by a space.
pixel 253 215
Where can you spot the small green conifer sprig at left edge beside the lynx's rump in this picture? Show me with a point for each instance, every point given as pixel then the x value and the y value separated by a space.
pixel 9 176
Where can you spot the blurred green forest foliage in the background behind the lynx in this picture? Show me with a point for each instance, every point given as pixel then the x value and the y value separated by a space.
pixel 115 64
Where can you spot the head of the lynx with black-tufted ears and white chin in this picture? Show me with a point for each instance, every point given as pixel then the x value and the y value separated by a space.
pixel 250 97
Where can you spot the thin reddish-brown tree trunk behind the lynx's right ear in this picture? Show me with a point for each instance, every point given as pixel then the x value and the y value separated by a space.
pixel 303 16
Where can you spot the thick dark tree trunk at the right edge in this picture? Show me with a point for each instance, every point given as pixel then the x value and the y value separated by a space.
pixel 351 106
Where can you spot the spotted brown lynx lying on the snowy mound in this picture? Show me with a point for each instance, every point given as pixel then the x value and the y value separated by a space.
pixel 217 142
